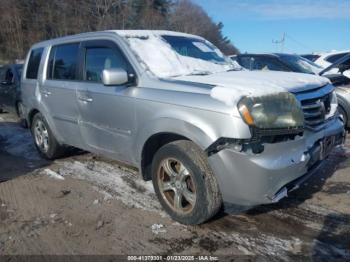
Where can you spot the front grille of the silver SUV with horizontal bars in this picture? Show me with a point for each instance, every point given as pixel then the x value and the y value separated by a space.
pixel 316 104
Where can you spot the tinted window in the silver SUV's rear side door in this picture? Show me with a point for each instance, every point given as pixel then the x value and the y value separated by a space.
pixel 63 62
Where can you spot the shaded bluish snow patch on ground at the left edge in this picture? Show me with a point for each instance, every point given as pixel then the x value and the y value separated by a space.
pixel 18 141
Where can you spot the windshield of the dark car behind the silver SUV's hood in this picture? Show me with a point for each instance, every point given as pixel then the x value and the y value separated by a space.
pixel 301 64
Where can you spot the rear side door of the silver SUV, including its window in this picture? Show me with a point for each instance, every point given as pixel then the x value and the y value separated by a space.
pixel 58 91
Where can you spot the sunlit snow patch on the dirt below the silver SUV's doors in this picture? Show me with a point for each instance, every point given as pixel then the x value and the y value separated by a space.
pixel 123 185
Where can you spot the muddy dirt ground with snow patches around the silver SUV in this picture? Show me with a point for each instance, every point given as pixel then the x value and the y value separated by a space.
pixel 85 204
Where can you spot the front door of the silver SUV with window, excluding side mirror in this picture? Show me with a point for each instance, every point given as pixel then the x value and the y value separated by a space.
pixel 106 112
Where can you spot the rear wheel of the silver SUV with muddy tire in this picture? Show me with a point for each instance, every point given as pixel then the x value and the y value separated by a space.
pixel 44 139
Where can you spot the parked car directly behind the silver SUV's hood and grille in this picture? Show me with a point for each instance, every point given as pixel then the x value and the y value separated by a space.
pixel 295 63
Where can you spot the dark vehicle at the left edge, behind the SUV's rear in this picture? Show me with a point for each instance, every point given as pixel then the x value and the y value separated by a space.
pixel 10 90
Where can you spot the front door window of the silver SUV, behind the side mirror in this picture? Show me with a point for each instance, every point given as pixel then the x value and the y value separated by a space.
pixel 99 58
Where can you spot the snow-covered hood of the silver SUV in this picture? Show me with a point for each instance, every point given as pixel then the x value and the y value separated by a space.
pixel 231 86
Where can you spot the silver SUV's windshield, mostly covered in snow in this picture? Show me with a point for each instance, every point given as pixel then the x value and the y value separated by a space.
pixel 172 55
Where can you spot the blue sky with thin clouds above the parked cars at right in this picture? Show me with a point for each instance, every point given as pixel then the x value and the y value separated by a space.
pixel 310 25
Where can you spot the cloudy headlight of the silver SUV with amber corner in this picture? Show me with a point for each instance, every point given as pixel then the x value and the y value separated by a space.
pixel 280 110
